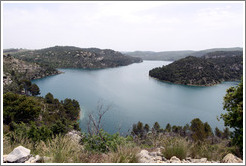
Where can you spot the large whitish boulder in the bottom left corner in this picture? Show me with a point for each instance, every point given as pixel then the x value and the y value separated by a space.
pixel 19 155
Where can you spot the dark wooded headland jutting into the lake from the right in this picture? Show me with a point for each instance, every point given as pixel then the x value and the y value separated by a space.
pixel 207 70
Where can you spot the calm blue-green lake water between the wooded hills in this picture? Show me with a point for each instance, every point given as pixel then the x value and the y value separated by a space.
pixel 134 96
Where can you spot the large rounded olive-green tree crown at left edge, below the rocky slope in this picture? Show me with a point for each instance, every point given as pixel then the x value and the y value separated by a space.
pixel 19 108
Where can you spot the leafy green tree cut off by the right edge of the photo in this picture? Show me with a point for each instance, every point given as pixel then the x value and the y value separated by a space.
pixel 233 104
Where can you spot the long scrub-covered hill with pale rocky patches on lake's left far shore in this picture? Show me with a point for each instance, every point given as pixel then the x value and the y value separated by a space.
pixel 74 57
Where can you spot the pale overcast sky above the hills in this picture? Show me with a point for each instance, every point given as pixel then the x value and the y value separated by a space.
pixel 124 26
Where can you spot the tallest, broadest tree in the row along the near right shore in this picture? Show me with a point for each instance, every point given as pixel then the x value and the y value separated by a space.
pixel 197 128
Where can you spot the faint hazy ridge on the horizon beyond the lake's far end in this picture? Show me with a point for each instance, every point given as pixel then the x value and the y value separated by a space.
pixel 175 55
